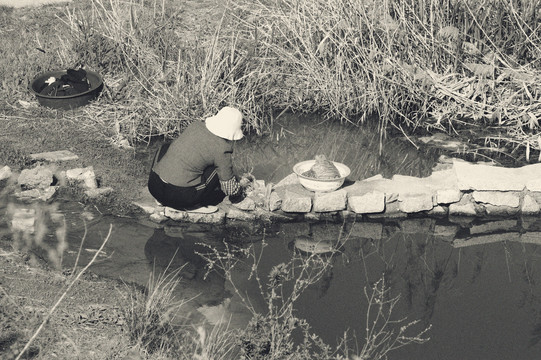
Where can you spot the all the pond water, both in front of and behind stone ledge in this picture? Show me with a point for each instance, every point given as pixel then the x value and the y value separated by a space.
pixel 483 301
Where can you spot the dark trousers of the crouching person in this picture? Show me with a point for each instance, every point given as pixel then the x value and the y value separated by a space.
pixel 178 197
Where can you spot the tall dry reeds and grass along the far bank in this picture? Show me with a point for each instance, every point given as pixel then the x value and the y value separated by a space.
pixel 436 65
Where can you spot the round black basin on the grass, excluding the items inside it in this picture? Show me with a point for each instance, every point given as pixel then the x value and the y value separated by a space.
pixel 66 102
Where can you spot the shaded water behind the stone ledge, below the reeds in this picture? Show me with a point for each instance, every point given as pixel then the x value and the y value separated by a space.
pixel 296 138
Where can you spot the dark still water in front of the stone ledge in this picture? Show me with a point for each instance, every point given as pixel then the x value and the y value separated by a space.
pixel 483 301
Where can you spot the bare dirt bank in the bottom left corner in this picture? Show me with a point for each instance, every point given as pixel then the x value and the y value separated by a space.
pixel 87 324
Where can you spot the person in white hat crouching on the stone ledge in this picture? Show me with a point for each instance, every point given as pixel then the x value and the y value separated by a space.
pixel 195 171
